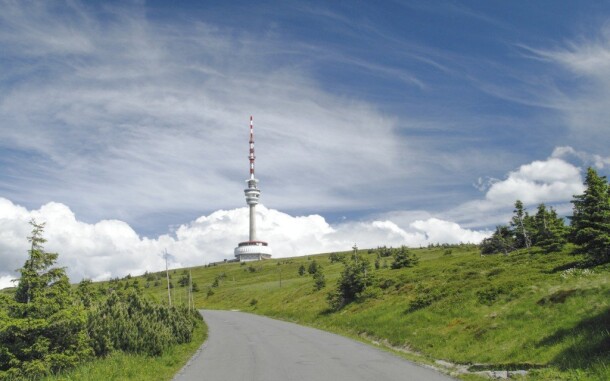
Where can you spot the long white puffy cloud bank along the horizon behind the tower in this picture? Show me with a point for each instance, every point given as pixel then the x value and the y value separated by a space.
pixel 111 248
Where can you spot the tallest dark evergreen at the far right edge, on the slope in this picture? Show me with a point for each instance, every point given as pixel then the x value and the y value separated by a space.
pixel 590 227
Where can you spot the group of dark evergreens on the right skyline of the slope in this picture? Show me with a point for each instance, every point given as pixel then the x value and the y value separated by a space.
pixel 589 228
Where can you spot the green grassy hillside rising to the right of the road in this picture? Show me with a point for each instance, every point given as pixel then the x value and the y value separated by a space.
pixel 521 311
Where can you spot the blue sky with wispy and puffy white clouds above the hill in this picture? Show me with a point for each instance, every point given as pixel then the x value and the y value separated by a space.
pixel 124 125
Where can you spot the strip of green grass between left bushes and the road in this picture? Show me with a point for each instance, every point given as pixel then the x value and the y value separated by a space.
pixel 122 366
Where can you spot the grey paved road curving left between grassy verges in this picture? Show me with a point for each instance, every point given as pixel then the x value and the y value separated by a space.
pixel 246 347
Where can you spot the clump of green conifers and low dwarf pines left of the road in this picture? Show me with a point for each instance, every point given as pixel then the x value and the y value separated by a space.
pixel 48 326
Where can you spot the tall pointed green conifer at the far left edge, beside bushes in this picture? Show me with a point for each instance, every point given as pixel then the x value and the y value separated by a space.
pixel 45 330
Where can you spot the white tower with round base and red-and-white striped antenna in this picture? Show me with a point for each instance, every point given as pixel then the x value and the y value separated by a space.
pixel 253 249
